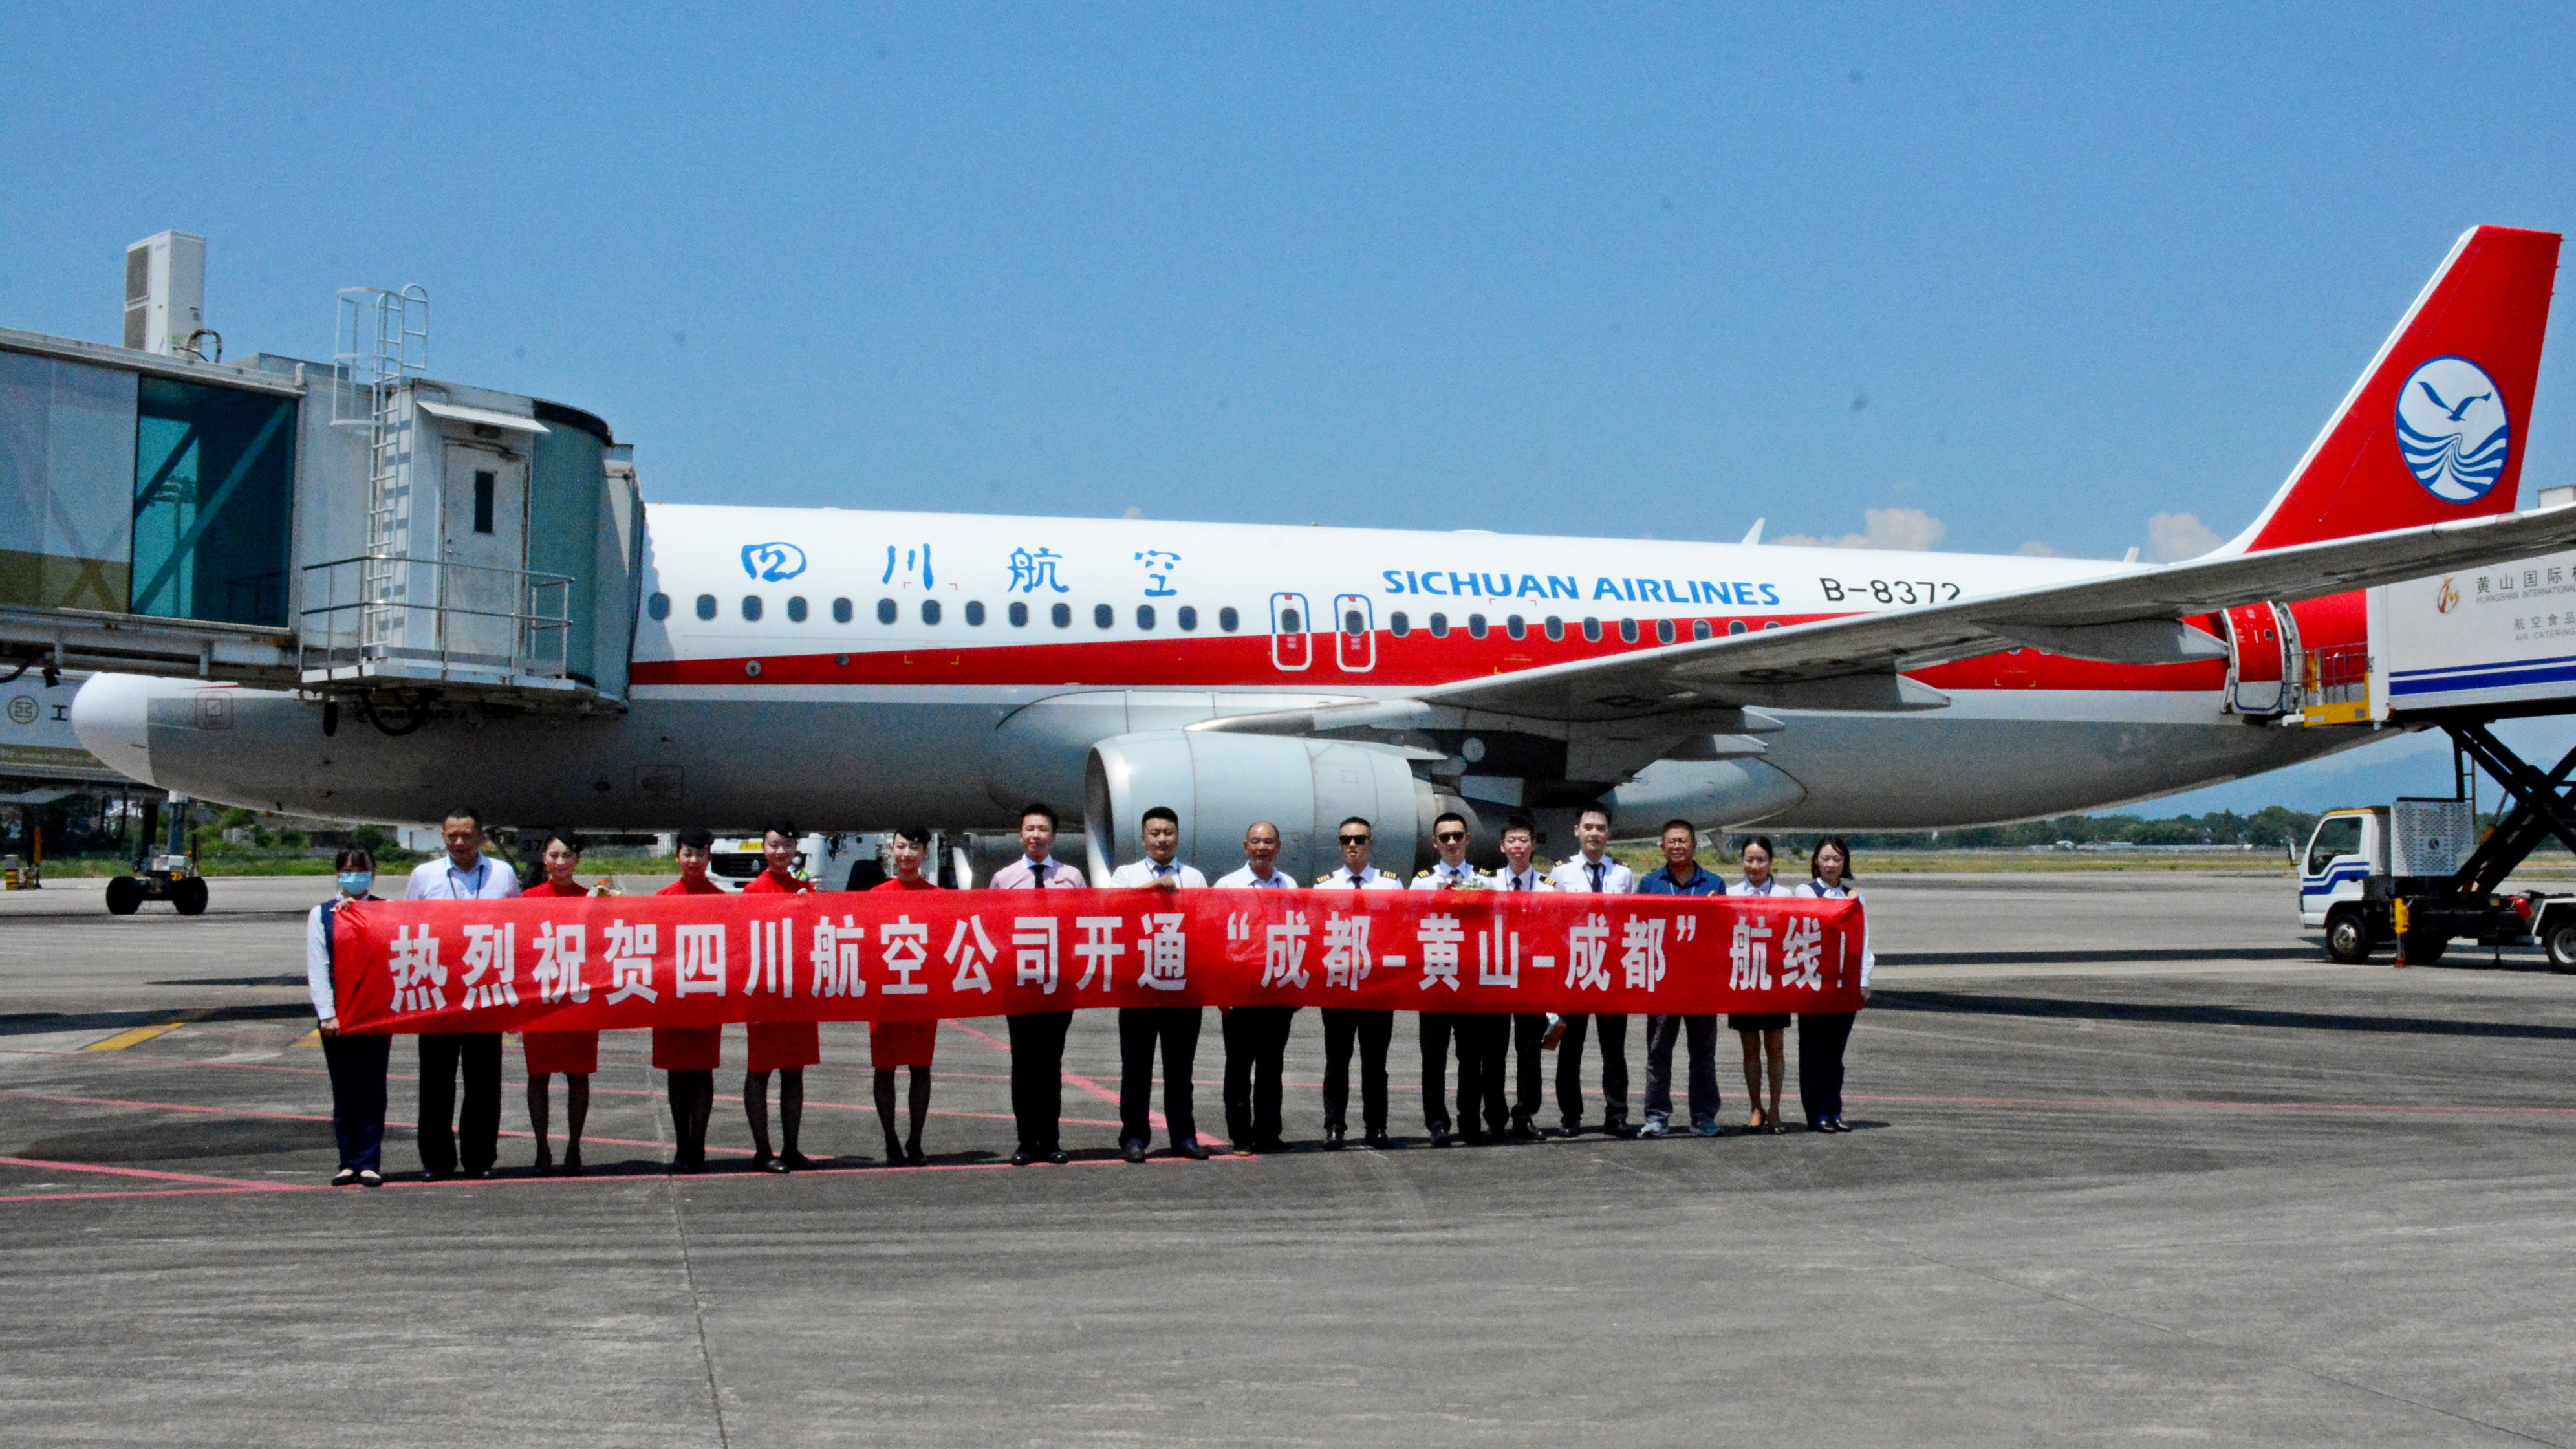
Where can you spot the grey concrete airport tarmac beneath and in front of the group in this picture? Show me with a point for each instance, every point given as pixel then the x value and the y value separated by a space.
pixel 2134 1162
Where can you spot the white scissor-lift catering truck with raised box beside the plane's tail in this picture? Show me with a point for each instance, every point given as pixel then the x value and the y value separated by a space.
pixel 2454 654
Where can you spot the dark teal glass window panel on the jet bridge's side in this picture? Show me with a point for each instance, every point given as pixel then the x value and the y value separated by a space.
pixel 213 481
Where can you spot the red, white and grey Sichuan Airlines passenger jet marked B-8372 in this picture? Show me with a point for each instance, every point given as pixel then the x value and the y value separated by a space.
pixel 875 669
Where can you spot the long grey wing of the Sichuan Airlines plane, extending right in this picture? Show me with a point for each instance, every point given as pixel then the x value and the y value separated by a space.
pixel 2126 618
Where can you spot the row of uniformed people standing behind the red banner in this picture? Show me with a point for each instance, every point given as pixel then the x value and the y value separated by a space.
pixel 465 1141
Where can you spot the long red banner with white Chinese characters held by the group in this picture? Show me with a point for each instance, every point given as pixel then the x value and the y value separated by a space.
pixel 699 960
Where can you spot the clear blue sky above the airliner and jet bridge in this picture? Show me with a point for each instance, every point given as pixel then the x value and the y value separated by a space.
pixel 1647 269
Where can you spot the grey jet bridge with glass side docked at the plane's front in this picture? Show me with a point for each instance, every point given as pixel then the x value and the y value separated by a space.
pixel 354 530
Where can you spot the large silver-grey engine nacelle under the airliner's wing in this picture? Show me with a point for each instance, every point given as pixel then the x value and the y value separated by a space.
pixel 1225 783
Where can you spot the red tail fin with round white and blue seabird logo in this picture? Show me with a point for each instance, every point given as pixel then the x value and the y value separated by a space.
pixel 2438 424
